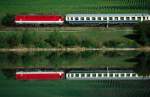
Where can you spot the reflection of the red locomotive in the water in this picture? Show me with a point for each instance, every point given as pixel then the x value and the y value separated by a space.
pixel 38 74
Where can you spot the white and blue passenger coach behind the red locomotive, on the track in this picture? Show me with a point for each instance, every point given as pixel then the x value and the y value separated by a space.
pixel 106 18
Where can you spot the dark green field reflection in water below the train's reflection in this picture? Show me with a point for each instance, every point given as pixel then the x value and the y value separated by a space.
pixel 68 88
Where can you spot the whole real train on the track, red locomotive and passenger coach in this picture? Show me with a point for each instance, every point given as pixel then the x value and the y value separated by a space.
pixel 81 19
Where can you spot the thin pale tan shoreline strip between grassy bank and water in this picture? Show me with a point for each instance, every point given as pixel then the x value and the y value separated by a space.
pixel 75 49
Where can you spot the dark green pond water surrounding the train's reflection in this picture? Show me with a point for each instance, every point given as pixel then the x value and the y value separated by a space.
pixel 137 61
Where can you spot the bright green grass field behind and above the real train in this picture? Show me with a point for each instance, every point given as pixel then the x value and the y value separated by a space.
pixel 63 7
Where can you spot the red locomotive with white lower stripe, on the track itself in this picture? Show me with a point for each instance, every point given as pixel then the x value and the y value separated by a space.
pixel 39 19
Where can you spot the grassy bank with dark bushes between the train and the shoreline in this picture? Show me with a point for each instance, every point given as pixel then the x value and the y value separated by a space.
pixel 90 38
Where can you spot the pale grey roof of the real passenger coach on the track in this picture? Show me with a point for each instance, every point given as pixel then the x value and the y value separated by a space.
pixel 98 15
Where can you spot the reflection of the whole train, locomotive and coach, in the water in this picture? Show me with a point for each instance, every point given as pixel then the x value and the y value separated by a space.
pixel 48 74
